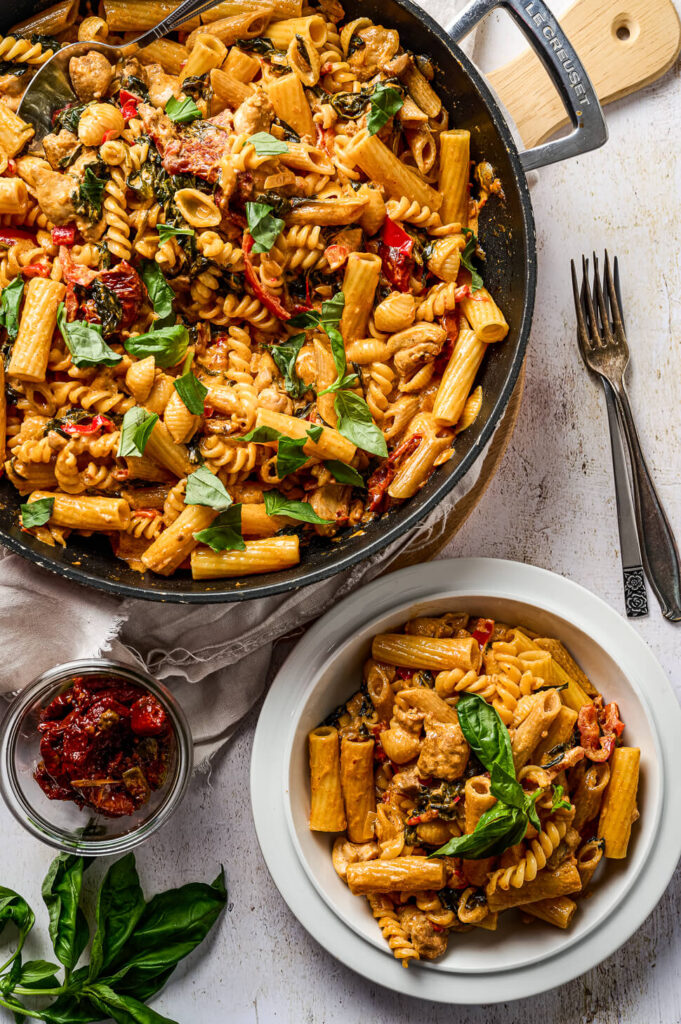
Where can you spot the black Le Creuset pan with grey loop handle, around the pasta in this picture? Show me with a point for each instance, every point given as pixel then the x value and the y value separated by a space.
pixel 507 235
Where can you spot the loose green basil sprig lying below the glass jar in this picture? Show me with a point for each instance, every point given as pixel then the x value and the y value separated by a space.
pixel 137 947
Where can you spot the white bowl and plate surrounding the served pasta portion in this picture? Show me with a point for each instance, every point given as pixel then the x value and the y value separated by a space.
pixel 325 669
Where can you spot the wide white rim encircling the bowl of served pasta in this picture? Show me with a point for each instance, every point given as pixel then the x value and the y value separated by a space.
pixel 461 579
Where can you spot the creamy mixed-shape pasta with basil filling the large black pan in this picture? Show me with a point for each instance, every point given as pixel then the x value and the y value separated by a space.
pixel 243 297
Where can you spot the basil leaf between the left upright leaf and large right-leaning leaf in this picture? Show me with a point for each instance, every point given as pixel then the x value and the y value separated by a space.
pixel 120 906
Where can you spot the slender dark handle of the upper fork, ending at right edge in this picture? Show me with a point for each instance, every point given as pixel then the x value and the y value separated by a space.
pixel 659 548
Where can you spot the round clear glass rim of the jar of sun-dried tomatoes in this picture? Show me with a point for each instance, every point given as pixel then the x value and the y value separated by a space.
pixel 35 823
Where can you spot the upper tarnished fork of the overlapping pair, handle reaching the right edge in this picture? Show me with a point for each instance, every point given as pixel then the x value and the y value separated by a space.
pixel 605 351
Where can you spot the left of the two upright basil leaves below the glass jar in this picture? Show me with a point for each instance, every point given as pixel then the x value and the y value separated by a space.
pixel 62 890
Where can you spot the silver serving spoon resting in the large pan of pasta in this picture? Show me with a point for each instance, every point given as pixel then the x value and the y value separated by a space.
pixel 51 90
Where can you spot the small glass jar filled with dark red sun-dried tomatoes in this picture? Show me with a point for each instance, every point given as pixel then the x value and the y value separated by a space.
pixel 95 757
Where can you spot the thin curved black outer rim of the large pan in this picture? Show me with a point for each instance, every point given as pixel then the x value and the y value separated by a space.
pixel 394 532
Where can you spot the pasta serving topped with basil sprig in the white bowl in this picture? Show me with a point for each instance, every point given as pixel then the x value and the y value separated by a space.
pixel 477 771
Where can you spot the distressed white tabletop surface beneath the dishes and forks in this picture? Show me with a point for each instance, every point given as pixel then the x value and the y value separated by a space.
pixel 551 504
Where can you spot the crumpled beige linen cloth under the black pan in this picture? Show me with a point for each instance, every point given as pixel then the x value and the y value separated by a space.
pixel 226 648
